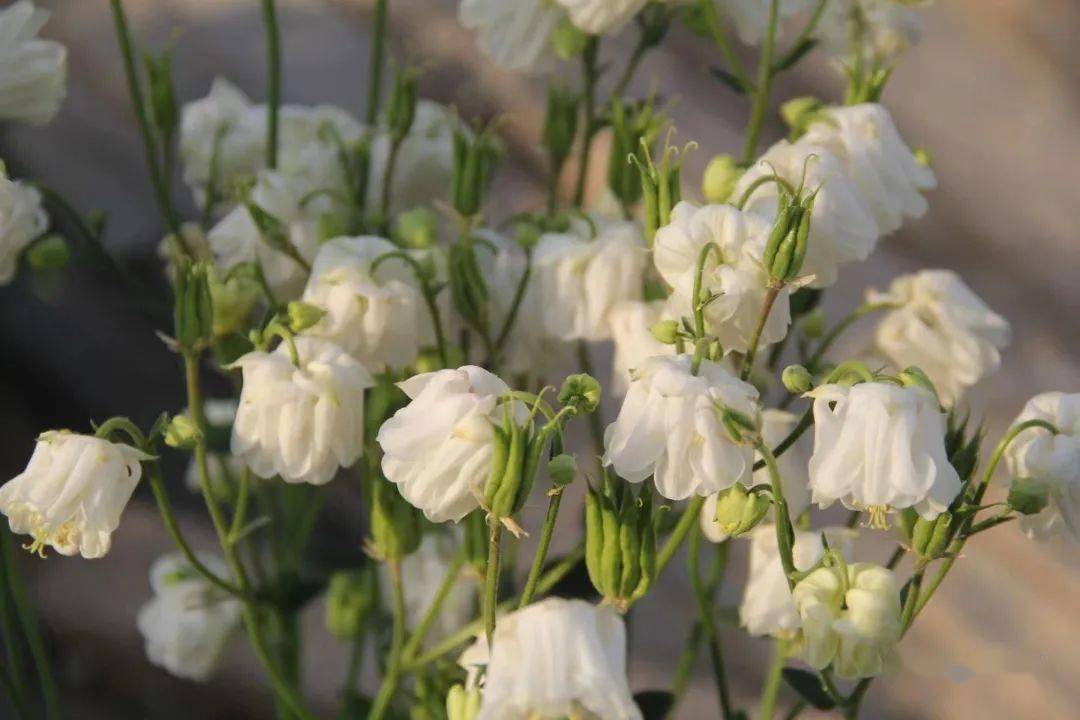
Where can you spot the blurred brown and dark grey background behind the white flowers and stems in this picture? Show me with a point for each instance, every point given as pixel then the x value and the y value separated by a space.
pixel 993 92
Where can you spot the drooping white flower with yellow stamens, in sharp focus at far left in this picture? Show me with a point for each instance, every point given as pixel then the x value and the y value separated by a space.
pixel 73 493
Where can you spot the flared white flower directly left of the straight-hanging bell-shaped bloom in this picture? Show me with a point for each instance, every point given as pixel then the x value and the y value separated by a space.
pixel 670 427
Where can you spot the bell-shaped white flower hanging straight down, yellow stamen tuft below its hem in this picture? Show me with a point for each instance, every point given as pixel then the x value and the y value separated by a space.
pixel 881 447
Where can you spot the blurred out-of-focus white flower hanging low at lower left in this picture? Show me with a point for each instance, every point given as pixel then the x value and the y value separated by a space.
pixel 188 622
